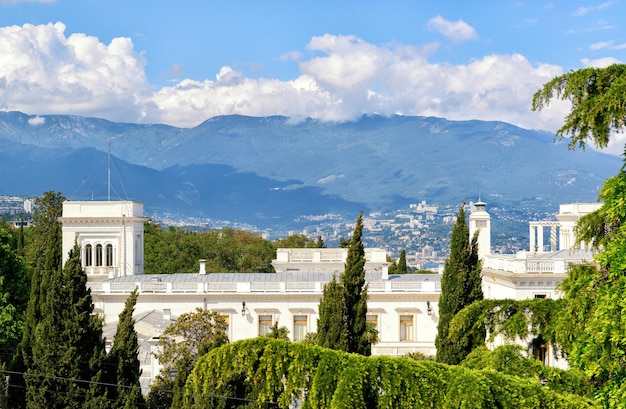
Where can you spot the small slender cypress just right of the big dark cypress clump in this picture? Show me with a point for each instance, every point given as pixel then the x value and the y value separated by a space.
pixel 123 368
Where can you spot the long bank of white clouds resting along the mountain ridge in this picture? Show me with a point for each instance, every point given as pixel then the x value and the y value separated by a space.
pixel 43 71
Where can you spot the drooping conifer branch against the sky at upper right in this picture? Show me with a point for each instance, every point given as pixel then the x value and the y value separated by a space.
pixel 598 103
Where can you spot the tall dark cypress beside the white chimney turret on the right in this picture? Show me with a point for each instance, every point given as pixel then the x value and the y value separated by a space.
pixel 460 286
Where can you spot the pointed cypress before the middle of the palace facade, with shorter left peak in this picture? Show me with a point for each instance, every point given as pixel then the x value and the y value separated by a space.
pixel 343 308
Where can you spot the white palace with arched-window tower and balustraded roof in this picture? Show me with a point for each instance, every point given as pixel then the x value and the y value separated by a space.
pixel 404 308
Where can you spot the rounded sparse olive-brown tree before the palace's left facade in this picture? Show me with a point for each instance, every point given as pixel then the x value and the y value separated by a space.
pixel 184 341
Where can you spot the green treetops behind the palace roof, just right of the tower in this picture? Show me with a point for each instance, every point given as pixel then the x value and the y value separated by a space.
pixel 175 250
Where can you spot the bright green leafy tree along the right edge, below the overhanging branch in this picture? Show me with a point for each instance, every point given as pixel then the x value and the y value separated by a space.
pixel 593 323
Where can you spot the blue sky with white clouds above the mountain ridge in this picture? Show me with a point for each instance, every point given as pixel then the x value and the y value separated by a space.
pixel 183 62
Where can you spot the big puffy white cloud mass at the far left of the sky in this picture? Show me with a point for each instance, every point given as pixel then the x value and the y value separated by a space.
pixel 43 71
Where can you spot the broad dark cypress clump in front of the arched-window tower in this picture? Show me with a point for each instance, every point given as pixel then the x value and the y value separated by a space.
pixel 64 368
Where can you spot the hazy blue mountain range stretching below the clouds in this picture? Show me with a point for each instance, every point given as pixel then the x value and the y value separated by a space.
pixel 267 171
